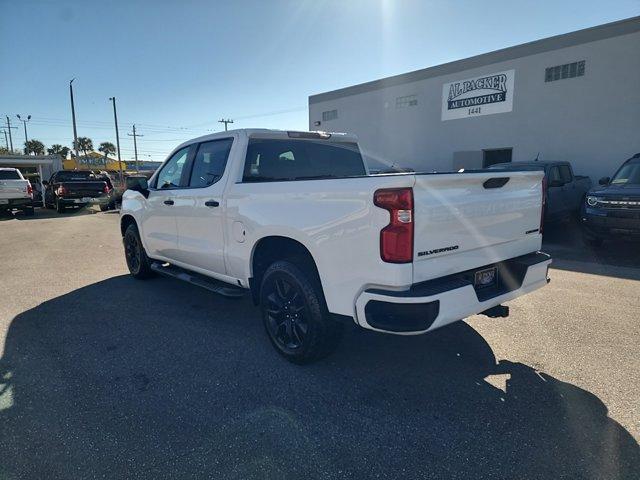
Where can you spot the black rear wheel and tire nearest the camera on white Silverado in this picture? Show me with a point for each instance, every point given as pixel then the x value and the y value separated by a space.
pixel 295 315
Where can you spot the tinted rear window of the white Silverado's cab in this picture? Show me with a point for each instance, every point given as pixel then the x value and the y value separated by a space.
pixel 277 160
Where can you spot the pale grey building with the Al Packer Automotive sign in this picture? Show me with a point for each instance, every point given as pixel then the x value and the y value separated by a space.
pixel 572 97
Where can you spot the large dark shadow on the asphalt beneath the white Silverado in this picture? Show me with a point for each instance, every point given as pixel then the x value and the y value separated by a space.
pixel 162 380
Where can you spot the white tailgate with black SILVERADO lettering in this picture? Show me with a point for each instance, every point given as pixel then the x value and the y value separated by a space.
pixel 467 220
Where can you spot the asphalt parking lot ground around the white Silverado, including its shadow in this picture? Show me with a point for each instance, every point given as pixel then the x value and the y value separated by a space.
pixel 103 376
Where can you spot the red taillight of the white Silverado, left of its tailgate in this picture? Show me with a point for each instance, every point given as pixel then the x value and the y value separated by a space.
pixel 396 239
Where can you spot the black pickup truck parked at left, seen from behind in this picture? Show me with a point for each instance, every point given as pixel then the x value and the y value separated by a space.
pixel 70 188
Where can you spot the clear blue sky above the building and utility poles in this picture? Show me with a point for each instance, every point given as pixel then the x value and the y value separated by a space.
pixel 177 67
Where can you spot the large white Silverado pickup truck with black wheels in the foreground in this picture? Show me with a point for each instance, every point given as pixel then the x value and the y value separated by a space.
pixel 295 218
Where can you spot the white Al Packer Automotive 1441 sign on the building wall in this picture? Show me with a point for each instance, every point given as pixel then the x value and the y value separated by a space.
pixel 478 96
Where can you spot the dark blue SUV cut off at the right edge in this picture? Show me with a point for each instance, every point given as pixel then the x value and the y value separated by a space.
pixel 613 208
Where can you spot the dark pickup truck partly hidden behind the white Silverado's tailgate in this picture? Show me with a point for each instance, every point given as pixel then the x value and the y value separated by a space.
pixel 565 190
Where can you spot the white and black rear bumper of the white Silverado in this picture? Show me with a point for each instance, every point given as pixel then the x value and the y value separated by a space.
pixel 438 302
